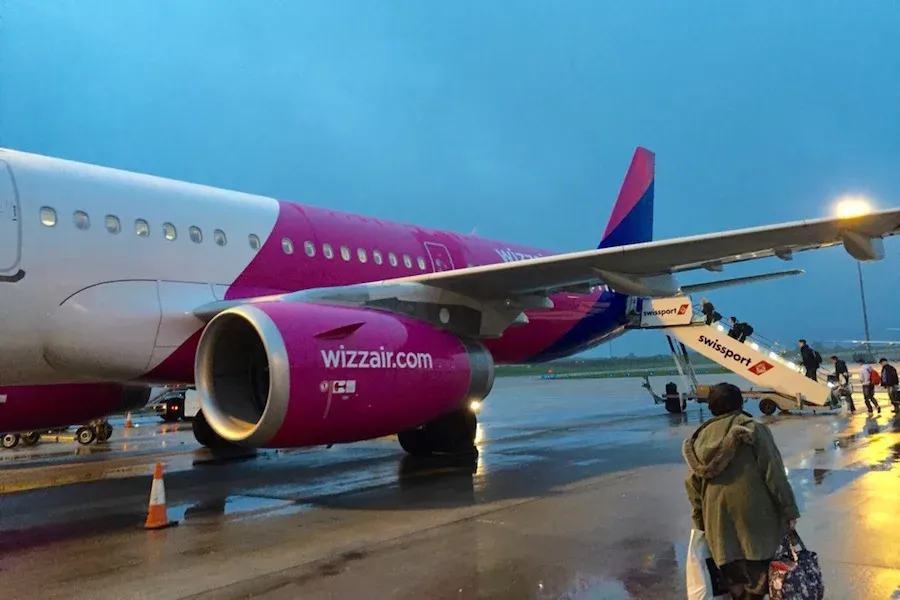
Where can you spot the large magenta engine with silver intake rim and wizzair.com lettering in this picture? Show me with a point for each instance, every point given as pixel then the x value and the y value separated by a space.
pixel 281 374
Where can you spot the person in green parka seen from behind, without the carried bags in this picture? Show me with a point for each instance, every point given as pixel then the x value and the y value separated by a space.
pixel 740 495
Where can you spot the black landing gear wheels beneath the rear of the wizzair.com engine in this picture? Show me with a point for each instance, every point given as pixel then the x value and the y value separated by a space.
pixel 453 433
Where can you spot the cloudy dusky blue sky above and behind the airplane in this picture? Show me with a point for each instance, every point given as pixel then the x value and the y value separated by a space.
pixel 515 118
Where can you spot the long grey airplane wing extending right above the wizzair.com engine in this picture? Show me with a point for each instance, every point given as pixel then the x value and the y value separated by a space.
pixel 500 293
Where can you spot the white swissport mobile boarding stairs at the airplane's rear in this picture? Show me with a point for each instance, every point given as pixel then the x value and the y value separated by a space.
pixel 779 382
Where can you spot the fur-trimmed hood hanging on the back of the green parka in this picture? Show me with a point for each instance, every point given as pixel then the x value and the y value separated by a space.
pixel 713 446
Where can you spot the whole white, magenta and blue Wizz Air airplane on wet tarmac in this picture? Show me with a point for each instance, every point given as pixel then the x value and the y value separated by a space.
pixel 303 326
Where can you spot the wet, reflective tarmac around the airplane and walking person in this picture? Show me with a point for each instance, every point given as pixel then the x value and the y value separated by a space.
pixel 577 493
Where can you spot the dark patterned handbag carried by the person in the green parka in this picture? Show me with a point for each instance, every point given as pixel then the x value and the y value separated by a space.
pixel 794 573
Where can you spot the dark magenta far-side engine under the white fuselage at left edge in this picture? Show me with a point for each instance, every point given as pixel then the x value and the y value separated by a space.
pixel 35 407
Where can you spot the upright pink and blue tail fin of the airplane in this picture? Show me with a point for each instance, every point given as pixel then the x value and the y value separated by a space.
pixel 631 221
